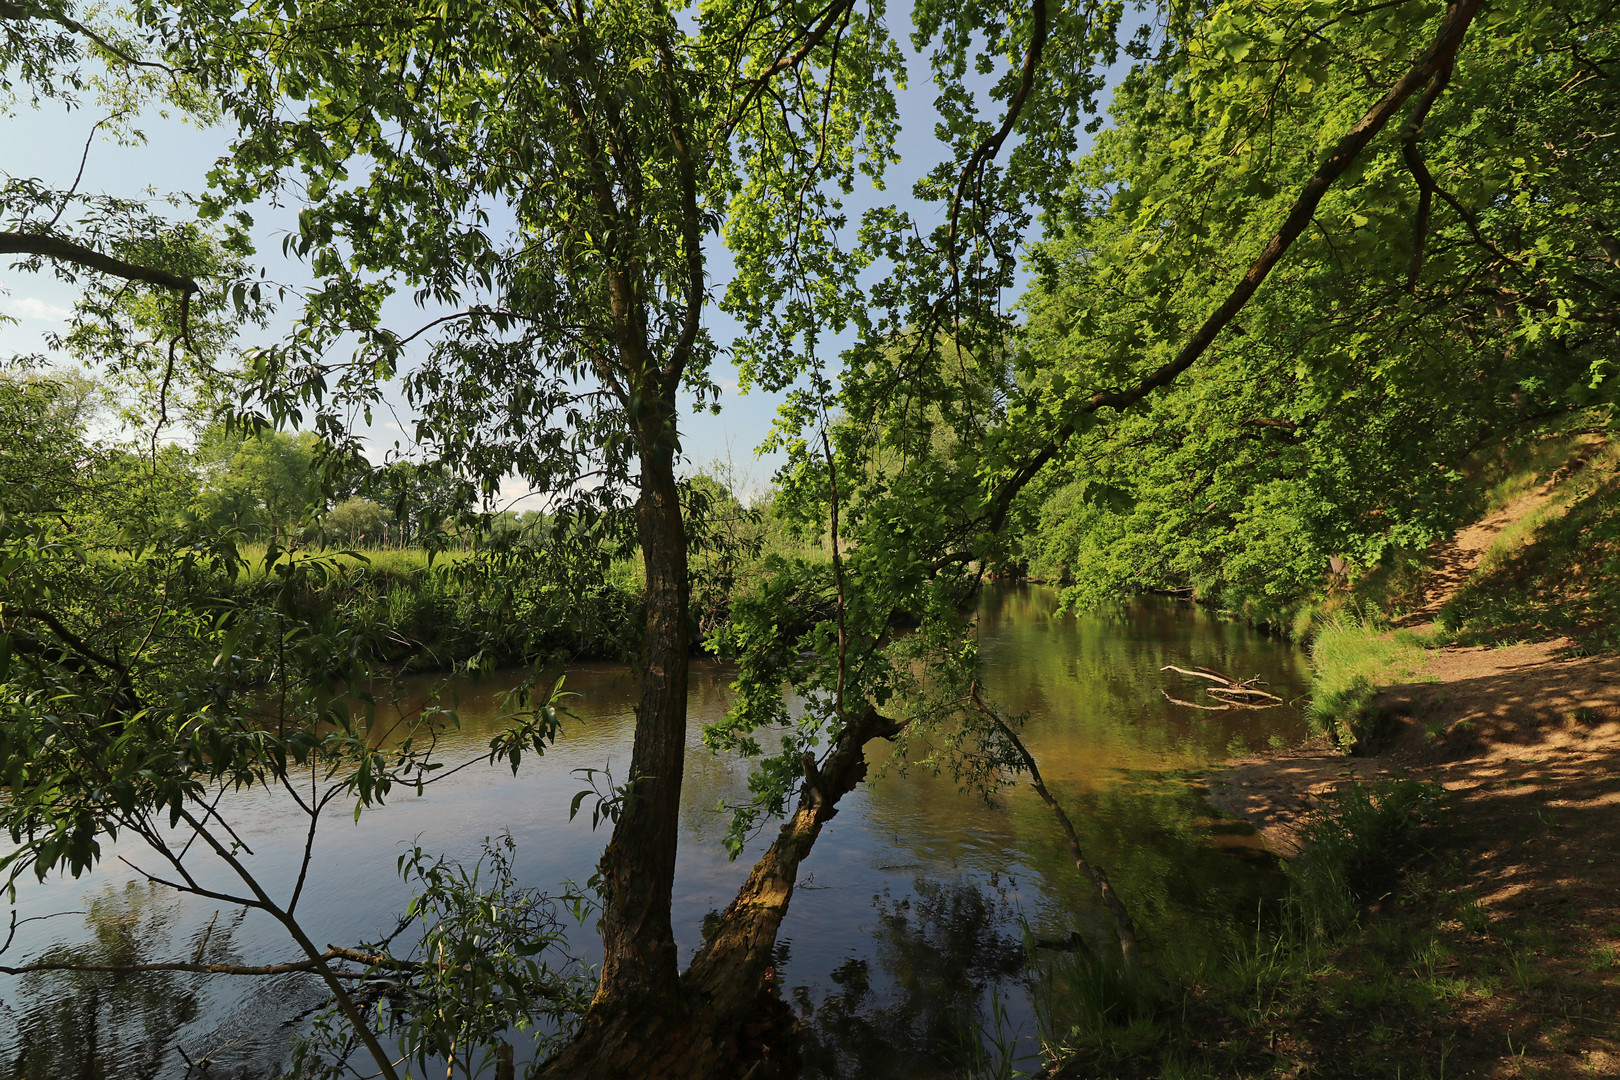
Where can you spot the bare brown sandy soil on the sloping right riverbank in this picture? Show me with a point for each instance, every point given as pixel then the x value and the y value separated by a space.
pixel 1527 742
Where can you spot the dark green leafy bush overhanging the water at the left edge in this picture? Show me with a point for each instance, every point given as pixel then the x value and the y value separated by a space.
pixel 122 707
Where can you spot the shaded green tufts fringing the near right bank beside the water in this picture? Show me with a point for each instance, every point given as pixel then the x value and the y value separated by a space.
pixel 1357 844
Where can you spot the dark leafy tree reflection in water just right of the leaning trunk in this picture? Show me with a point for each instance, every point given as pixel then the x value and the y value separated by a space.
pixel 937 953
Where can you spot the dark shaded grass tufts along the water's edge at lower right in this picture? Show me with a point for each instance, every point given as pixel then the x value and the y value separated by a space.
pixel 1234 1014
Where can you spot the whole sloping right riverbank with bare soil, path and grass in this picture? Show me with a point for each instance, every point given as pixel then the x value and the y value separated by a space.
pixel 1499 718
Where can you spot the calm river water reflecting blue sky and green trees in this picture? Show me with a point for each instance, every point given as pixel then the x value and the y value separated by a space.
pixel 906 932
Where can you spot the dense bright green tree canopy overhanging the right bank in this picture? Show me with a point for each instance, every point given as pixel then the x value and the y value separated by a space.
pixel 1339 417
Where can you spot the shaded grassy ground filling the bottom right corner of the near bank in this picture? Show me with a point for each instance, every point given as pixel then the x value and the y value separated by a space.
pixel 1379 964
